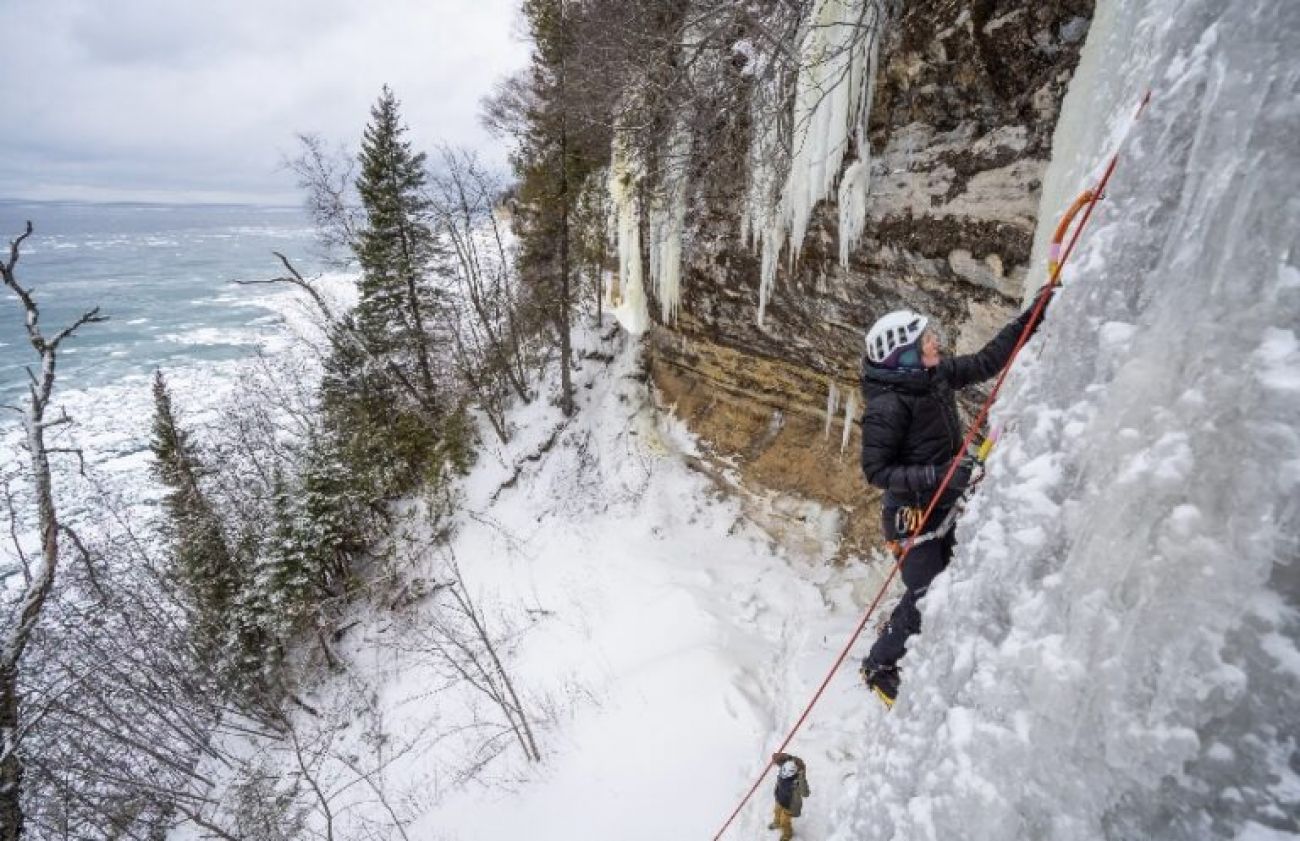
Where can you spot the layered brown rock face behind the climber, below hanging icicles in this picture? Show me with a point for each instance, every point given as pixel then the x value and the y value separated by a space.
pixel 967 101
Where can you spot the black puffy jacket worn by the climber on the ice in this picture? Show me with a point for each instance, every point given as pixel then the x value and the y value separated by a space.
pixel 911 428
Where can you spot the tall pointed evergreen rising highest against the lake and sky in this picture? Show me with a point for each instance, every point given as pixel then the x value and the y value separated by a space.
pixel 385 402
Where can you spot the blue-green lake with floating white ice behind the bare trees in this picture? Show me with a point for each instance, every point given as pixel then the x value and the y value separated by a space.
pixel 164 276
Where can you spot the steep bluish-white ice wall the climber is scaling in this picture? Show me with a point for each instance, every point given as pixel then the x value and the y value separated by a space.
pixel 1115 652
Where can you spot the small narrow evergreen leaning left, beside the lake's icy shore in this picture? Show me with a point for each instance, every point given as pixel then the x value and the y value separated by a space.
pixel 202 558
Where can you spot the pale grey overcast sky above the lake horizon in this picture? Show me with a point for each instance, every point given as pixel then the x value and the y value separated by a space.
pixel 177 101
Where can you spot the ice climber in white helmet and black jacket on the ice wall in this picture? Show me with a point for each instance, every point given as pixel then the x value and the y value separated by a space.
pixel 911 436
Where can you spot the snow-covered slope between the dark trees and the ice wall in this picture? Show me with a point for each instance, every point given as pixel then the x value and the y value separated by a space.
pixel 658 641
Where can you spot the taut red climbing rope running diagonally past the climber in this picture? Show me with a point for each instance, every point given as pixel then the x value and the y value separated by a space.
pixel 1098 193
